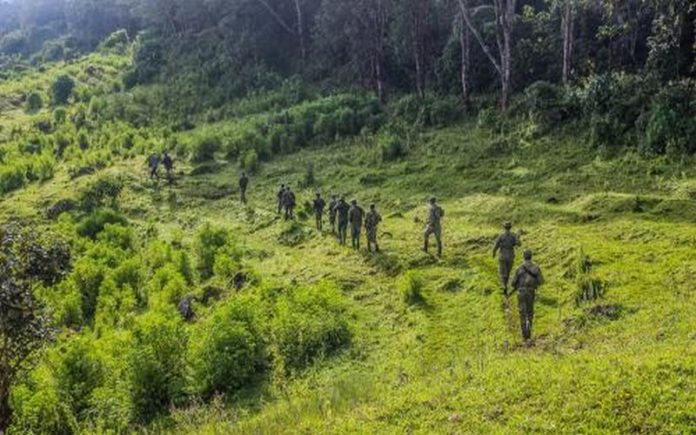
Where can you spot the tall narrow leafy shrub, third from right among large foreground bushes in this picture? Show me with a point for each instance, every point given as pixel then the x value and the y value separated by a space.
pixel 157 363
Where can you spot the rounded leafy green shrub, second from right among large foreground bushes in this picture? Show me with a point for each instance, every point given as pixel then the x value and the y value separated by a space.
pixel 227 349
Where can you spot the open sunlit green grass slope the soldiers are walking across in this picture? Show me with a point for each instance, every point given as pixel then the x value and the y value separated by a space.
pixel 454 361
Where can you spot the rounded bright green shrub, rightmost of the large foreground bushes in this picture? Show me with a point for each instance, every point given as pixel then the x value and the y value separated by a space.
pixel 309 323
